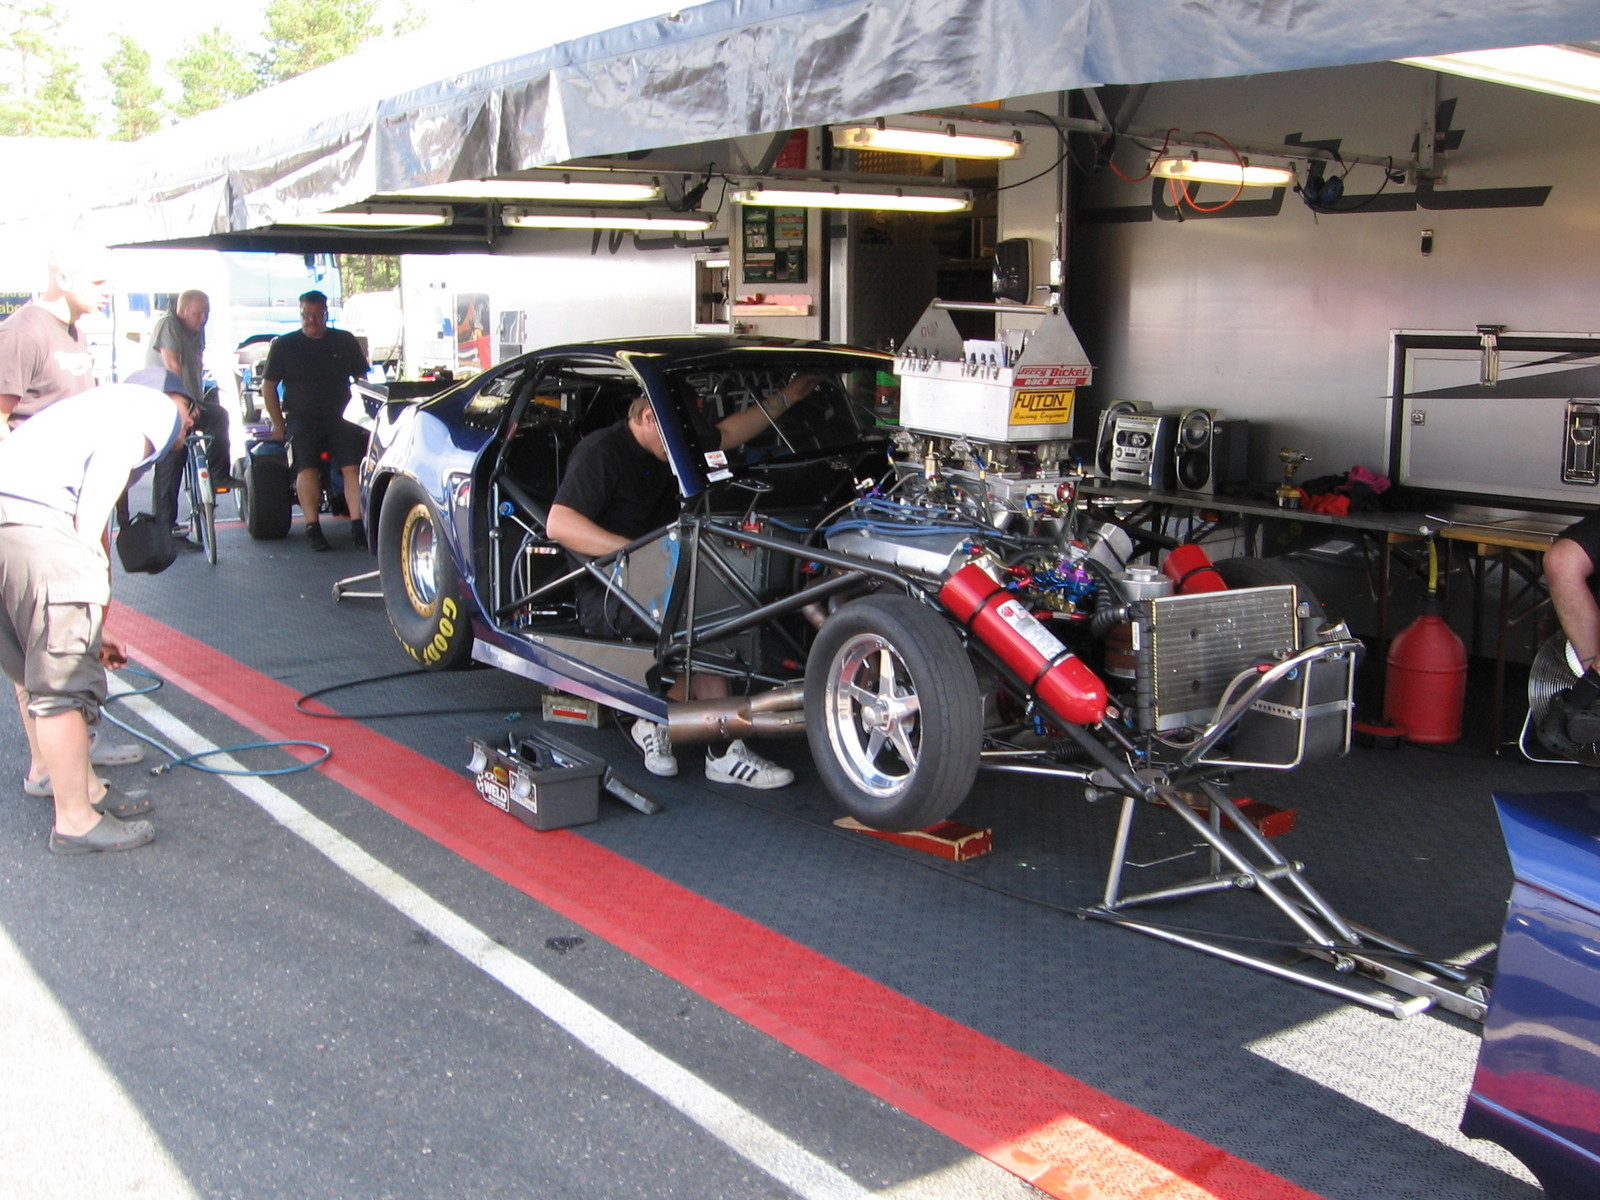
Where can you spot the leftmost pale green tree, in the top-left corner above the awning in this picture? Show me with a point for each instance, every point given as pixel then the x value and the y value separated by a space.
pixel 39 84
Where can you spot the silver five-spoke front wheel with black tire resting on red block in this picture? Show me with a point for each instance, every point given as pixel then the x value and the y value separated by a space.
pixel 894 714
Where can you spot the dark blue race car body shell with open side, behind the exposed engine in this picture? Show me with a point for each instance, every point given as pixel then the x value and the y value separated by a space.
pixel 457 490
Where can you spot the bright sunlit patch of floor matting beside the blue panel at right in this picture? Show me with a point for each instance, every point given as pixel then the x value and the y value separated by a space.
pixel 1415 1073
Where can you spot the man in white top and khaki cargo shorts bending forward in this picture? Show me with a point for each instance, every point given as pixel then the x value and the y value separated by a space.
pixel 62 474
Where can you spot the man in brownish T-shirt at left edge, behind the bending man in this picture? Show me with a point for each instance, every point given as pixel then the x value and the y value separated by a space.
pixel 46 358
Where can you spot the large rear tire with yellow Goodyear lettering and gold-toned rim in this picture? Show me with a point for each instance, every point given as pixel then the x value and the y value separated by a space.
pixel 423 591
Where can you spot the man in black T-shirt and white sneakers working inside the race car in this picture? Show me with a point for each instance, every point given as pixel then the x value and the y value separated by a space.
pixel 620 487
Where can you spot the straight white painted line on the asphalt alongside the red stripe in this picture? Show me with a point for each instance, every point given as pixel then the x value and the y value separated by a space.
pixel 740 1130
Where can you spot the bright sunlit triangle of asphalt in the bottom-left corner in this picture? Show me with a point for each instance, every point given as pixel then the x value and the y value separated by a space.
pixel 68 1130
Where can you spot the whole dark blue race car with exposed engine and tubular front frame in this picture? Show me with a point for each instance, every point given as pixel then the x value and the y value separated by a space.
pixel 919 590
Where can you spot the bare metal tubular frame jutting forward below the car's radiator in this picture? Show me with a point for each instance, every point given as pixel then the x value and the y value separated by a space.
pixel 1351 950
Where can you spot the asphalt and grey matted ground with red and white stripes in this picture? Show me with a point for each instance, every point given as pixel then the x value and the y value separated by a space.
pixel 364 982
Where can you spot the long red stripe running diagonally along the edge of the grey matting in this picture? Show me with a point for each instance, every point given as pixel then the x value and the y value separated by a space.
pixel 1062 1135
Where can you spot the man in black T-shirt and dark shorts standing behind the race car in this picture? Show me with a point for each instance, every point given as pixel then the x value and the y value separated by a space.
pixel 316 367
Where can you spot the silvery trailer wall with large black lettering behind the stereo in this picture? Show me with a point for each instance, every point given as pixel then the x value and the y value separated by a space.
pixel 1287 319
